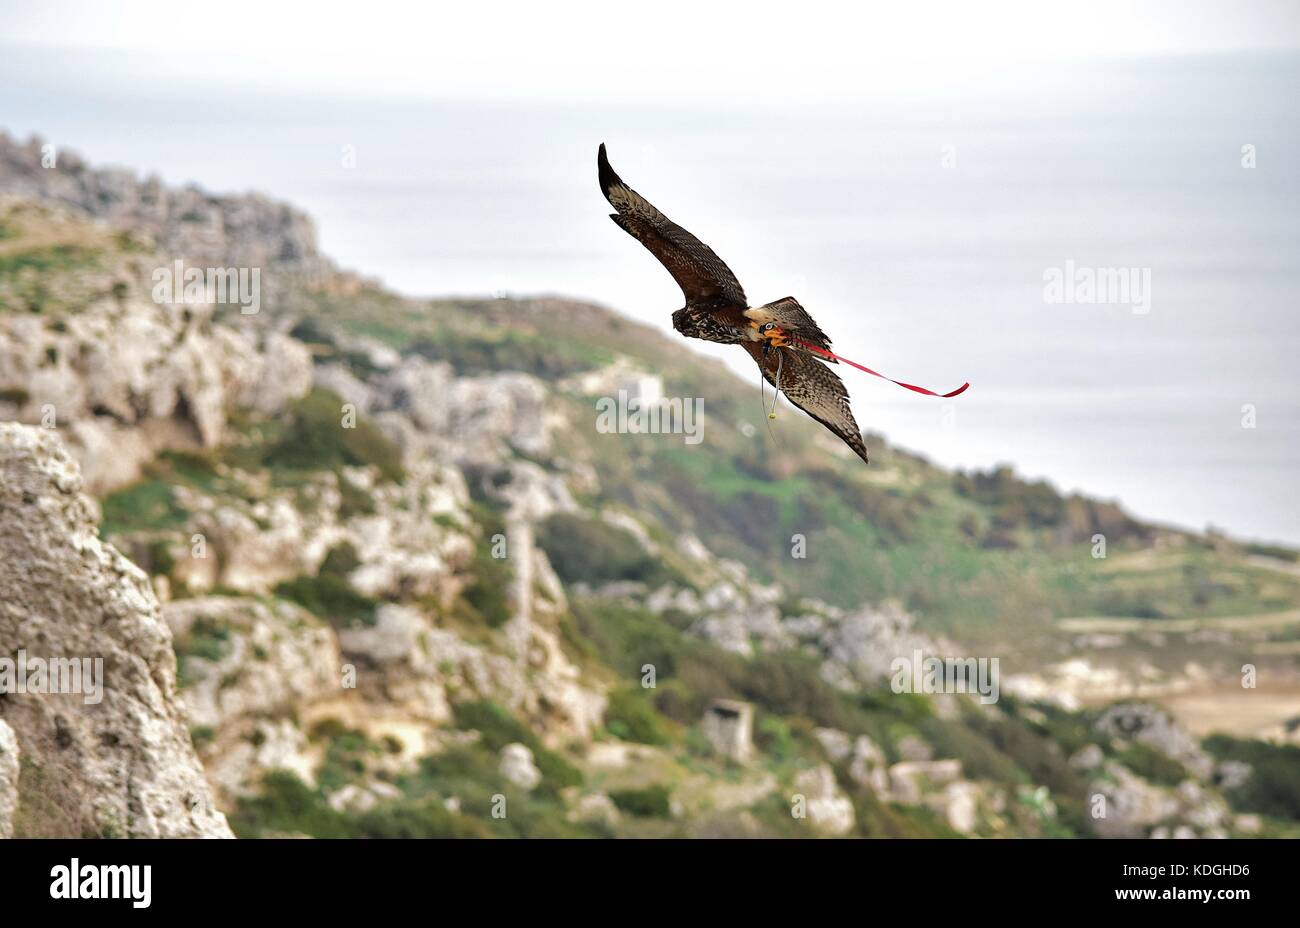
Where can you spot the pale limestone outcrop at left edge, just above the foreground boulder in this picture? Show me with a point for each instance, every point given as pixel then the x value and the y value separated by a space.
pixel 128 378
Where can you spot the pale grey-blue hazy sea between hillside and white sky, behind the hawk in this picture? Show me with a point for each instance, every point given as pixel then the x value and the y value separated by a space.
pixel 1108 251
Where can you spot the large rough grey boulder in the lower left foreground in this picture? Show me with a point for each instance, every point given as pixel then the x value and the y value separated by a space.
pixel 119 765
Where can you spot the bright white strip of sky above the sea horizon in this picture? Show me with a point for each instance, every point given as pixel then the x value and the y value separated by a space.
pixel 662 53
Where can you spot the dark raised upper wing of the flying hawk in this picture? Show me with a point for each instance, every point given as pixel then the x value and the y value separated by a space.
pixel 700 274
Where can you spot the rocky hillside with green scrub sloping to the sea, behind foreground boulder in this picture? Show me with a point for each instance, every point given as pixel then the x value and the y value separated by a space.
pixel 411 584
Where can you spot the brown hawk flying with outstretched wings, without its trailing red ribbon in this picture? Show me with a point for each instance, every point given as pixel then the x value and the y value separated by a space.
pixel 774 335
